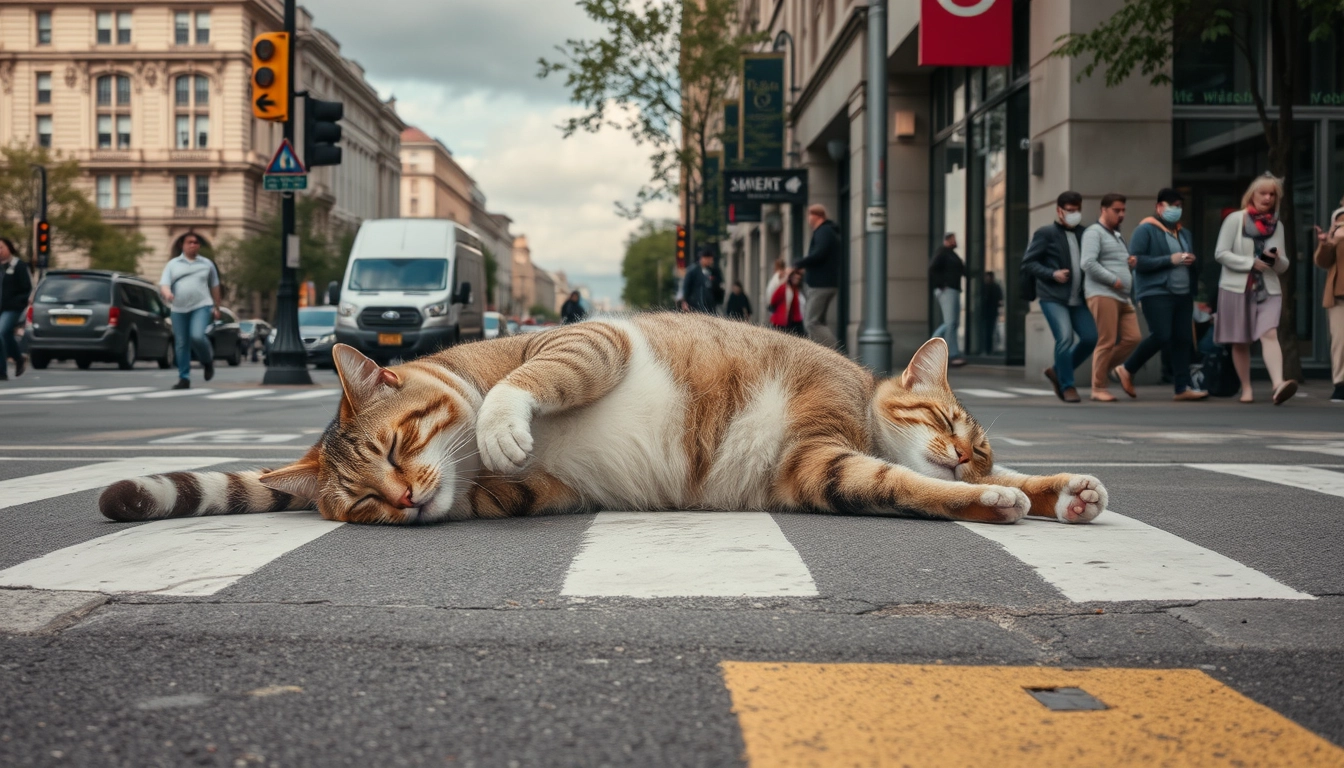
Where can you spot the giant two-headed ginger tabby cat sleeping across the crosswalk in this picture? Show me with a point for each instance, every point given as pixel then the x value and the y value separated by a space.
pixel 646 412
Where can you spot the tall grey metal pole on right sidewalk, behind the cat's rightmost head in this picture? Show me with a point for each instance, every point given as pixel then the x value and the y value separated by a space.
pixel 874 338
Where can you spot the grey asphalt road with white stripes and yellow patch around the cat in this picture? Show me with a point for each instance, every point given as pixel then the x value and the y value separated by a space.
pixel 1200 621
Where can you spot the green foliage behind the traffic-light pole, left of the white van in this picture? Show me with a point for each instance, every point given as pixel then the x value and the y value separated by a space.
pixel 252 264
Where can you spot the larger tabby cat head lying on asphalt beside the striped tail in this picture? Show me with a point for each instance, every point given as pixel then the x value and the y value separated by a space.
pixel 397 450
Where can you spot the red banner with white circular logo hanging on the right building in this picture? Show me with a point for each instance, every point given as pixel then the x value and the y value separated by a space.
pixel 966 33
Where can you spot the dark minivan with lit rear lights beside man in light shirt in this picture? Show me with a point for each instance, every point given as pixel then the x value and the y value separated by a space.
pixel 97 315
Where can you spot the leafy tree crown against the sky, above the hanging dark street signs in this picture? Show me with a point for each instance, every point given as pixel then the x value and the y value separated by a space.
pixel 659 72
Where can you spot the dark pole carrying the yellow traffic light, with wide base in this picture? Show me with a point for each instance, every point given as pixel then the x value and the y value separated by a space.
pixel 288 360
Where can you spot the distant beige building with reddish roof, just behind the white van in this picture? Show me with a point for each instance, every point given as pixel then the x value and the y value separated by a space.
pixel 435 186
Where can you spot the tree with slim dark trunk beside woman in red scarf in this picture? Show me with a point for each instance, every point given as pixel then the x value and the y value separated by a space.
pixel 1144 36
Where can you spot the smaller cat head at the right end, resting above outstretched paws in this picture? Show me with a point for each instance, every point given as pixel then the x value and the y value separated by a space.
pixel 924 427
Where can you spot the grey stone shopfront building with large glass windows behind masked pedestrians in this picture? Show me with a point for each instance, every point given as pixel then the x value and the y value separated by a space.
pixel 984 153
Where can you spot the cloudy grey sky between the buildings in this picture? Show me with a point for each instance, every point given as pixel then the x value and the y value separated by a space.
pixel 466 73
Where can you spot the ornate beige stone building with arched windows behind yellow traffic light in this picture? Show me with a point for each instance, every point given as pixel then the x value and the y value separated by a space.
pixel 154 102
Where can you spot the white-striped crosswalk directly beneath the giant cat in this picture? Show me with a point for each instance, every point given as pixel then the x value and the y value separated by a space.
pixel 648 556
